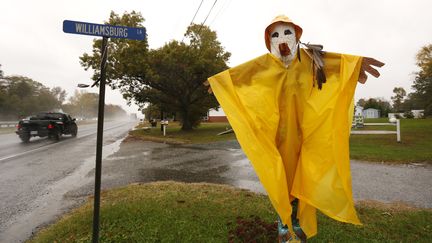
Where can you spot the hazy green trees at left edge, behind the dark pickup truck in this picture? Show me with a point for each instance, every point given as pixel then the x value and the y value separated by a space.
pixel 21 96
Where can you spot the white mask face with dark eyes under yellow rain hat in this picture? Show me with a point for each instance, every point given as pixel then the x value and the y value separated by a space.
pixel 283 42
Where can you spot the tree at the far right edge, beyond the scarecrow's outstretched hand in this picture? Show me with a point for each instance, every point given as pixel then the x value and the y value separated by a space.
pixel 423 81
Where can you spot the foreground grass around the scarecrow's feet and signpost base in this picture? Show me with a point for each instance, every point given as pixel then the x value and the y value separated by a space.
pixel 180 212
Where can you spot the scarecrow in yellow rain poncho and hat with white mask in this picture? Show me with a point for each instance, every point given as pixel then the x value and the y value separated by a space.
pixel 291 113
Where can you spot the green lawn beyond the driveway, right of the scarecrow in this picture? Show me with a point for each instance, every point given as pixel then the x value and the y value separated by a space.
pixel 415 145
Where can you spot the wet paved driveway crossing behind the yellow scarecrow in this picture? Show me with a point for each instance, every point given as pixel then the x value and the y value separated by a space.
pixel 225 163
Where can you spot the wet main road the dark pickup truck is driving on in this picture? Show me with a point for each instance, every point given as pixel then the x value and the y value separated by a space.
pixel 35 176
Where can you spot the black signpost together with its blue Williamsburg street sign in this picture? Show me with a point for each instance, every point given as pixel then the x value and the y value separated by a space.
pixel 106 31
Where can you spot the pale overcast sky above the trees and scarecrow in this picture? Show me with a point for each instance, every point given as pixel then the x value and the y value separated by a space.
pixel 33 44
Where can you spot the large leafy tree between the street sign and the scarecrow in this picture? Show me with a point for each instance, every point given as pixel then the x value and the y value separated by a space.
pixel 170 77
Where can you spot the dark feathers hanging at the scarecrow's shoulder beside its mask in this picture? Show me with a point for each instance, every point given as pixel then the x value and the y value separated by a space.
pixel 316 53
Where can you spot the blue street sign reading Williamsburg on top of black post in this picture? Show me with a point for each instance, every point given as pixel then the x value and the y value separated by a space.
pixel 82 28
